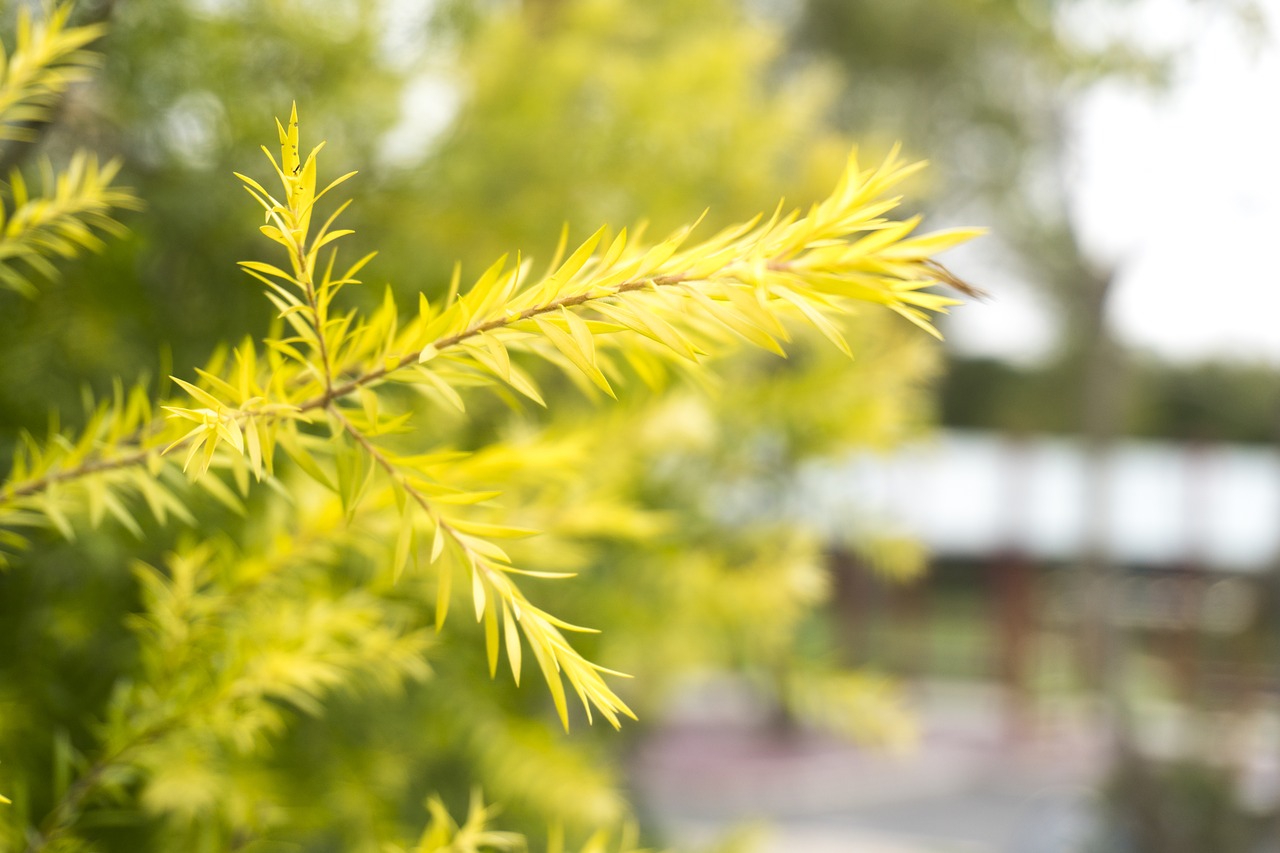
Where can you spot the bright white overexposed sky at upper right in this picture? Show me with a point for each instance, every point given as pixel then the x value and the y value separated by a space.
pixel 1181 190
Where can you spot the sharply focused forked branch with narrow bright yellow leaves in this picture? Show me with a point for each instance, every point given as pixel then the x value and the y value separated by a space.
pixel 671 302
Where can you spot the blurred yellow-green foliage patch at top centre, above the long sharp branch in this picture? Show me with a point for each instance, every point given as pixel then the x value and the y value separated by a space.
pixel 602 112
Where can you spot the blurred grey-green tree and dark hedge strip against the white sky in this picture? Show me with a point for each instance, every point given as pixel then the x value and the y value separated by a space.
pixel 991 93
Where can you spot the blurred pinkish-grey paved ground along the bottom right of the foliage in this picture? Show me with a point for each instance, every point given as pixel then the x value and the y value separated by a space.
pixel 968 788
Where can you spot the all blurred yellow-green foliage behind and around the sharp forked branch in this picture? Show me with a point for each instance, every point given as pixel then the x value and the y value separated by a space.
pixel 312 709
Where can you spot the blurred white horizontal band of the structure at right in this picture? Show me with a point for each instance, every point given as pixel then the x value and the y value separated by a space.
pixel 975 495
